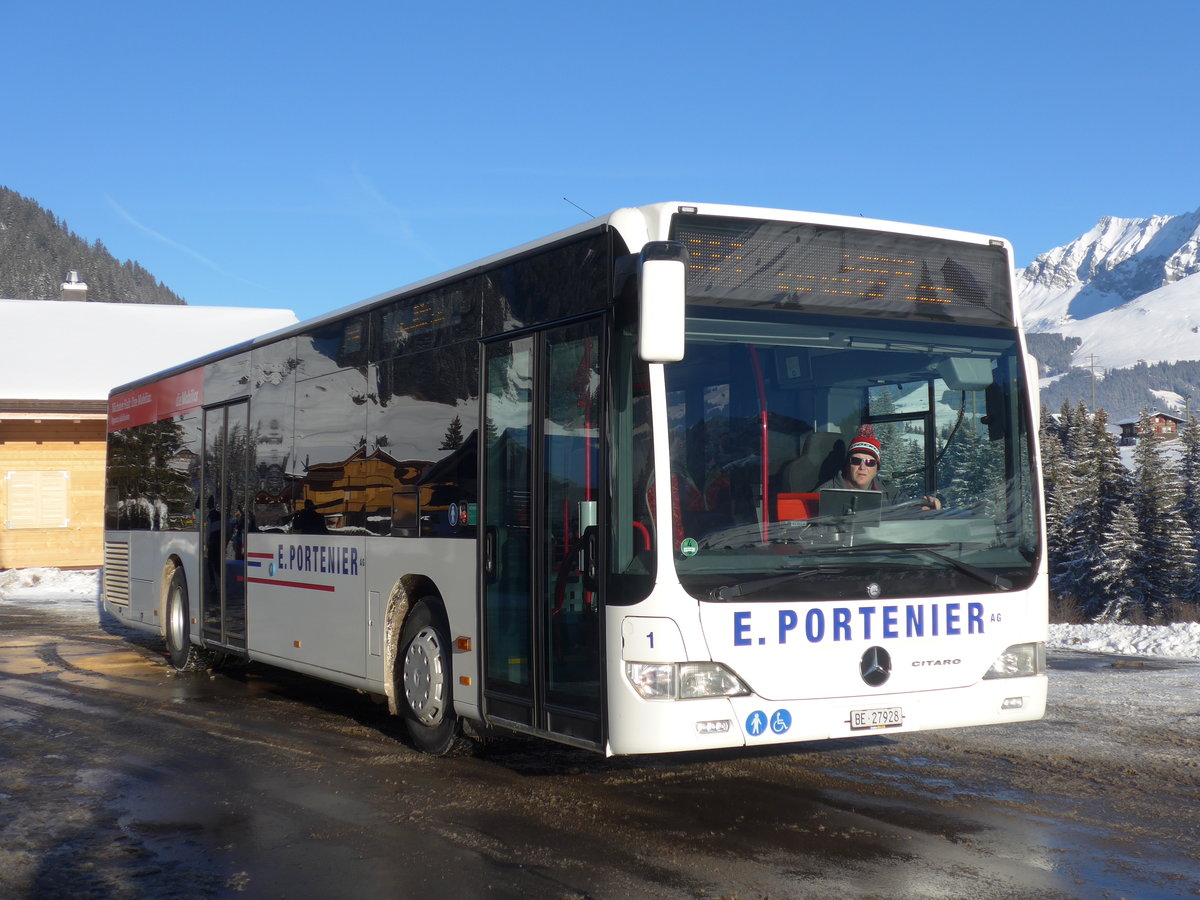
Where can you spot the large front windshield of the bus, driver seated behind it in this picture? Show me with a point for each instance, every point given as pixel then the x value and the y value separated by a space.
pixel 761 416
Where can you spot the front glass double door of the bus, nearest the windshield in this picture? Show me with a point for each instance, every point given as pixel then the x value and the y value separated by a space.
pixel 542 494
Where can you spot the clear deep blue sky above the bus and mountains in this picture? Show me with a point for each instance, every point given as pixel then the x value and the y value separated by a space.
pixel 309 157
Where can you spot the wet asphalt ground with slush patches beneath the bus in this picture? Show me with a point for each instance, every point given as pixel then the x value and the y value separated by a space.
pixel 123 779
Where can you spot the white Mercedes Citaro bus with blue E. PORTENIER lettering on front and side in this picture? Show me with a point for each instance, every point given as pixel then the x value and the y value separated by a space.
pixel 587 490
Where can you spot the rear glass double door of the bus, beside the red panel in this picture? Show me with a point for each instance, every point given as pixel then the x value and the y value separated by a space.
pixel 225 482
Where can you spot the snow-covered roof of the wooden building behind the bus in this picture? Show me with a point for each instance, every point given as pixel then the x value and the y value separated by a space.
pixel 67 350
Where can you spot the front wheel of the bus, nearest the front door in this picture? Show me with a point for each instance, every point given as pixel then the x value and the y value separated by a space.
pixel 427 687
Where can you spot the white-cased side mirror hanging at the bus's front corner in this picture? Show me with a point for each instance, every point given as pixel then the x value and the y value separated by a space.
pixel 662 295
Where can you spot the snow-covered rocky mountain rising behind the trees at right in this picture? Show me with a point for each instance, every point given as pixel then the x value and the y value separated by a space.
pixel 1130 289
